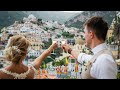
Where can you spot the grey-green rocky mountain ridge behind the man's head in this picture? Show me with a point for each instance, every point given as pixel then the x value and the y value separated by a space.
pixel 79 20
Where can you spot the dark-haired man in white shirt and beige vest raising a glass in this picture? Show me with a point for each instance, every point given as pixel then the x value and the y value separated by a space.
pixel 103 65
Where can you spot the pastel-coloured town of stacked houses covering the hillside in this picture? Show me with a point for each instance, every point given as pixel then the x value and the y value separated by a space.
pixel 40 33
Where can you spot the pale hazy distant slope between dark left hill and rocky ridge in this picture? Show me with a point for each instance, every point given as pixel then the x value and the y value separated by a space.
pixel 59 16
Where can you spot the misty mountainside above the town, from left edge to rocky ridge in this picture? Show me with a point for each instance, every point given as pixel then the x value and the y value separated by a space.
pixel 9 17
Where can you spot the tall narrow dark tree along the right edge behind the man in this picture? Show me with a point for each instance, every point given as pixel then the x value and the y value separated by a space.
pixel 117 31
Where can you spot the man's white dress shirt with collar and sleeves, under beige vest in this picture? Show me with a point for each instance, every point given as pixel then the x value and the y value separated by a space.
pixel 104 67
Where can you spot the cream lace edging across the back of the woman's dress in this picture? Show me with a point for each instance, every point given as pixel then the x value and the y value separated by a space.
pixel 19 76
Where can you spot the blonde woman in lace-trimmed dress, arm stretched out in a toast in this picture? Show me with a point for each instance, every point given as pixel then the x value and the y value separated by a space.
pixel 15 52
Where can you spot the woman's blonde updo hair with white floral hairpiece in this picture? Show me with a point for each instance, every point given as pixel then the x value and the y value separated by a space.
pixel 16 48
